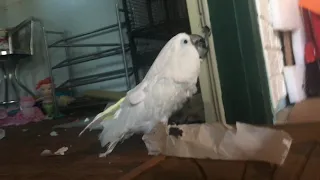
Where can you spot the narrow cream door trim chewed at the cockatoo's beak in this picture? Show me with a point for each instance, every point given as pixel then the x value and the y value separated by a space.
pixel 209 76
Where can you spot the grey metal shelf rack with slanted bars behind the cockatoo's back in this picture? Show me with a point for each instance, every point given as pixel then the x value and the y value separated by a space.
pixel 116 49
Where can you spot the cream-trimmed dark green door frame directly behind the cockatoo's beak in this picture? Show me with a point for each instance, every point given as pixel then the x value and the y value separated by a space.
pixel 255 87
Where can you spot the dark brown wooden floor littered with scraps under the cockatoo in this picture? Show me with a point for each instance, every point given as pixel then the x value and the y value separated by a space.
pixel 20 158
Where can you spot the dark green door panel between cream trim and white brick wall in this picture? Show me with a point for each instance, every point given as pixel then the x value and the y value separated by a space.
pixel 240 60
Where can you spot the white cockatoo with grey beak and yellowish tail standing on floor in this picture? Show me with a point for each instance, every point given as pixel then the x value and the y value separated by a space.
pixel 170 81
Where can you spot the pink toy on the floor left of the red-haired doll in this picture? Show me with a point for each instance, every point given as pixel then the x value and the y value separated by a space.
pixel 28 113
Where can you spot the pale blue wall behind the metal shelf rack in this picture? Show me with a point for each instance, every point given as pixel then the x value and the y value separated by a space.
pixel 73 16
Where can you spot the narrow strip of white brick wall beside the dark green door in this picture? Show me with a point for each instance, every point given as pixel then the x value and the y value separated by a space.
pixel 273 56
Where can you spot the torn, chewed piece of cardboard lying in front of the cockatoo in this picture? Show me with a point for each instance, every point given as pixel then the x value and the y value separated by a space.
pixel 215 141
